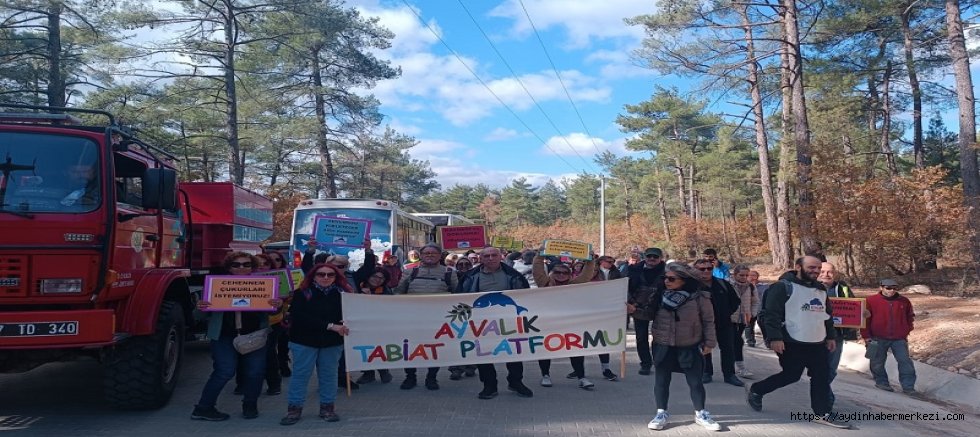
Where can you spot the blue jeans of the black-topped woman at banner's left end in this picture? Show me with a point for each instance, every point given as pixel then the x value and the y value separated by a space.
pixel 305 358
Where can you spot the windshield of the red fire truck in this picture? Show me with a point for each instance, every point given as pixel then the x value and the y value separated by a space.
pixel 48 173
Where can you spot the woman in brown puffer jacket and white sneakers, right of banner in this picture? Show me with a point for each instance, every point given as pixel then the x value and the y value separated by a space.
pixel 683 328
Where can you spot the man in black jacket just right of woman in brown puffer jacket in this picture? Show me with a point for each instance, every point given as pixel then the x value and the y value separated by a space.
pixel 725 302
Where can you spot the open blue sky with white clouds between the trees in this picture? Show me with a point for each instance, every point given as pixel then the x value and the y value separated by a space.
pixel 464 132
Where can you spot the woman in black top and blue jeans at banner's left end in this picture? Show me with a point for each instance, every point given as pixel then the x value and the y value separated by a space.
pixel 316 331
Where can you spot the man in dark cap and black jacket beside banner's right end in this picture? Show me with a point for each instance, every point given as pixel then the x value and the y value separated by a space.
pixel 645 278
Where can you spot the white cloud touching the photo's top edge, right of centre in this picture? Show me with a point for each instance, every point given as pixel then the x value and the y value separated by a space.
pixel 582 20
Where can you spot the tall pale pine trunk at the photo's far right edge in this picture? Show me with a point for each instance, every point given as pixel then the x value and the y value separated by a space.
pixel 968 127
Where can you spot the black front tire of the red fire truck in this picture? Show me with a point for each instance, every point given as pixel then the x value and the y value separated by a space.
pixel 142 373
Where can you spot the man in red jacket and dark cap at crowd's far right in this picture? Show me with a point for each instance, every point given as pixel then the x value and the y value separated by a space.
pixel 888 328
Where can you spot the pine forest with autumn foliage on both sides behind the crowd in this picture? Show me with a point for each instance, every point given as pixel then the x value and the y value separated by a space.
pixel 841 147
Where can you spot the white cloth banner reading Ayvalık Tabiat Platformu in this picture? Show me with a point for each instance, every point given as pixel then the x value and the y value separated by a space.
pixel 391 332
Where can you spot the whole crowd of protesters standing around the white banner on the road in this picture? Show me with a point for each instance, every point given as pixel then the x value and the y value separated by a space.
pixel 681 311
